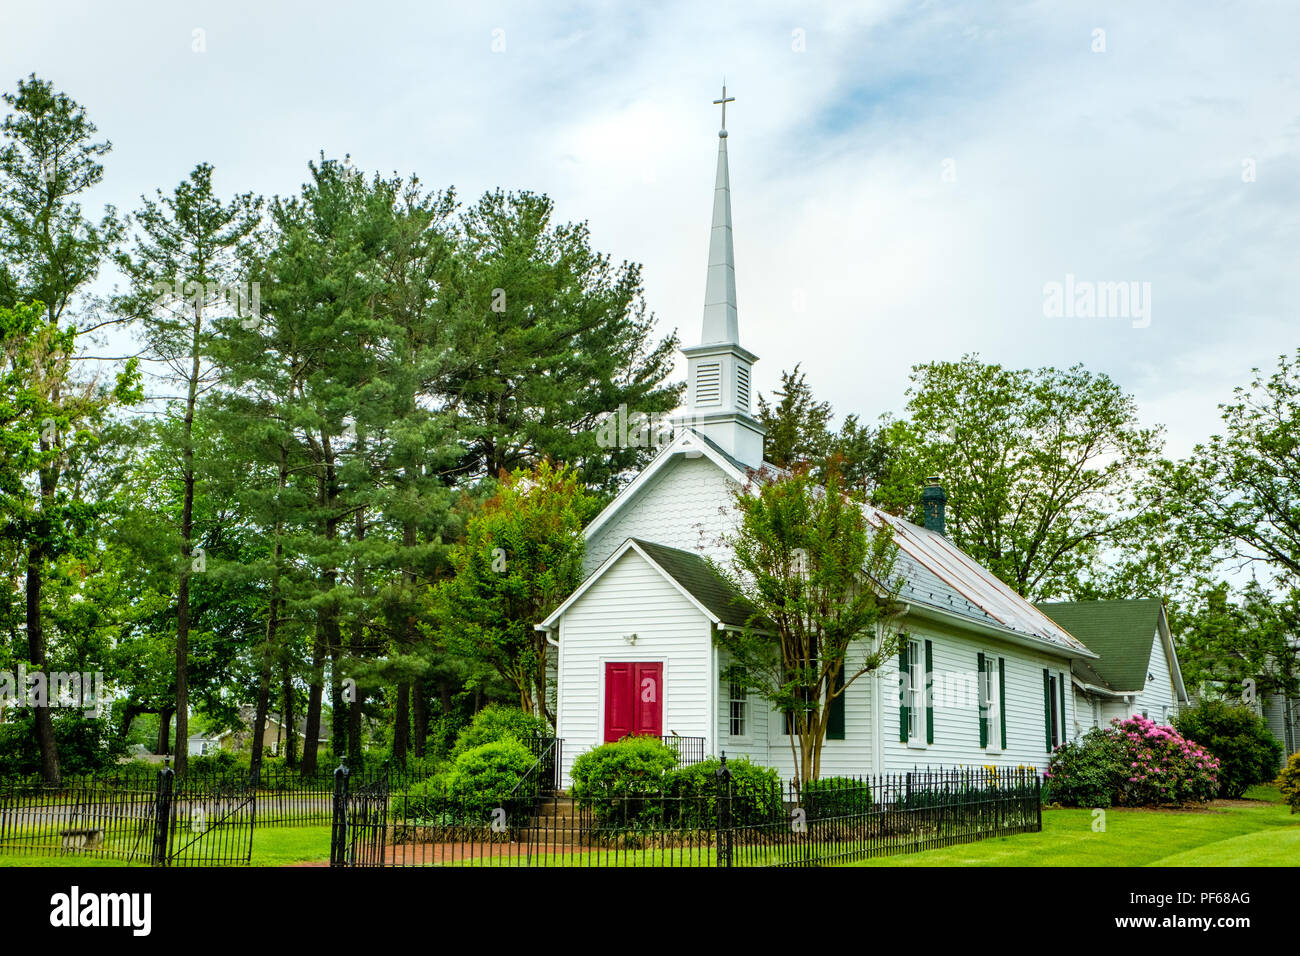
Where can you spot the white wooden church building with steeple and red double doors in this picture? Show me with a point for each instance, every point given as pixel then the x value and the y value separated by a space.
pixel 634 644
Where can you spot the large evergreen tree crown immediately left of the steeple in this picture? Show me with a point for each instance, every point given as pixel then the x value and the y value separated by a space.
pixel 553 340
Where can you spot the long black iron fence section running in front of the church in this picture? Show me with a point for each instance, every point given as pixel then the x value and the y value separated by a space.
pixel 727 824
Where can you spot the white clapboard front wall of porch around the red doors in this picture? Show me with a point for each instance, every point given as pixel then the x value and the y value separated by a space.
pixel 632 598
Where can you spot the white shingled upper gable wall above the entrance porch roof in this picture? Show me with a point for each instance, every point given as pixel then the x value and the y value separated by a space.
pixel 682 508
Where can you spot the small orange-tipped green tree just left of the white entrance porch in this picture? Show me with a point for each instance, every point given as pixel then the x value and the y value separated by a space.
pixel 522 556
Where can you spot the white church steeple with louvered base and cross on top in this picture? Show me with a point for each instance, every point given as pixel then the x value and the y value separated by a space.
pixel 718 399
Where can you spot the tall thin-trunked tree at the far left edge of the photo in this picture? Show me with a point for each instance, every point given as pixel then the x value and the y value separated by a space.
pixel 49 253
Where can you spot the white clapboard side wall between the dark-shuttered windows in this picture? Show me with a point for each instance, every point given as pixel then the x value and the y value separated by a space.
pixel 957 706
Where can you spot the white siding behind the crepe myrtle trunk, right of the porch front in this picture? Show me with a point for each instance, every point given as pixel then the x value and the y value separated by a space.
pixel 769 745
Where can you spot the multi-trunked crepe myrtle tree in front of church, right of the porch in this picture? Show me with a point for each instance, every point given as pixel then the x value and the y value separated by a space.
pixel 821 586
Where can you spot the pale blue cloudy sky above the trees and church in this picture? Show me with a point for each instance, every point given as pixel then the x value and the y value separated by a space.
pixel 907 176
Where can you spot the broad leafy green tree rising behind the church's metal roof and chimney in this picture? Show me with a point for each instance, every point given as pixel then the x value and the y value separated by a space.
pixel 1039 468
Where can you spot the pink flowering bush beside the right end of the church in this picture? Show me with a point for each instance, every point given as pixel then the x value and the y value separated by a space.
pixel 1133 763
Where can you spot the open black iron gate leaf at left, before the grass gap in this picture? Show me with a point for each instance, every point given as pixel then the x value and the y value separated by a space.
pixel 209 824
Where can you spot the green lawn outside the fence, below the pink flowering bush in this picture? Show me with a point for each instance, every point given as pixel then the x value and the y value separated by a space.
pixel 1260 833
